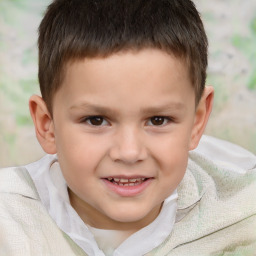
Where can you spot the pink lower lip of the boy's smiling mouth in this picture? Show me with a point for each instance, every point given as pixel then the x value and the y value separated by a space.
pixel 127 191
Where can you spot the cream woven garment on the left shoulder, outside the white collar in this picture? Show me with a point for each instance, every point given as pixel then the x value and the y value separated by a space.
pixel 25 226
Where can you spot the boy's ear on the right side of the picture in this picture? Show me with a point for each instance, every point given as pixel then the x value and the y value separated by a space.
pixel 202 114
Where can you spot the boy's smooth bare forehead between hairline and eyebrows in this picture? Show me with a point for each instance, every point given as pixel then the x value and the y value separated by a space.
pixel 125 76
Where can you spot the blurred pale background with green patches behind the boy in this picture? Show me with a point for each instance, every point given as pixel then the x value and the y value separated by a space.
pixel 231 28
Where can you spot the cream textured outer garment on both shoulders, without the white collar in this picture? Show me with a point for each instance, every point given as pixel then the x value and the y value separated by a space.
pixel 216 210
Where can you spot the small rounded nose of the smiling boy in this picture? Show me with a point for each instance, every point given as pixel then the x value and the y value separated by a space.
pixel 128 146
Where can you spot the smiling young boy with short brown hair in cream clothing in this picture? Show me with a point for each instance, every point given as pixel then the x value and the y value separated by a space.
pixel 123 107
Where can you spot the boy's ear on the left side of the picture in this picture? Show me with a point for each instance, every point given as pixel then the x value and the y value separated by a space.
pixel 43 122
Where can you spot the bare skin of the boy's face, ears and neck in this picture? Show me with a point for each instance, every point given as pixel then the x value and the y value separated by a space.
pixel 146 124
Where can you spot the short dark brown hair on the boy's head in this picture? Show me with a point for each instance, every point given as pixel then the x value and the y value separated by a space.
pixel 75 29
